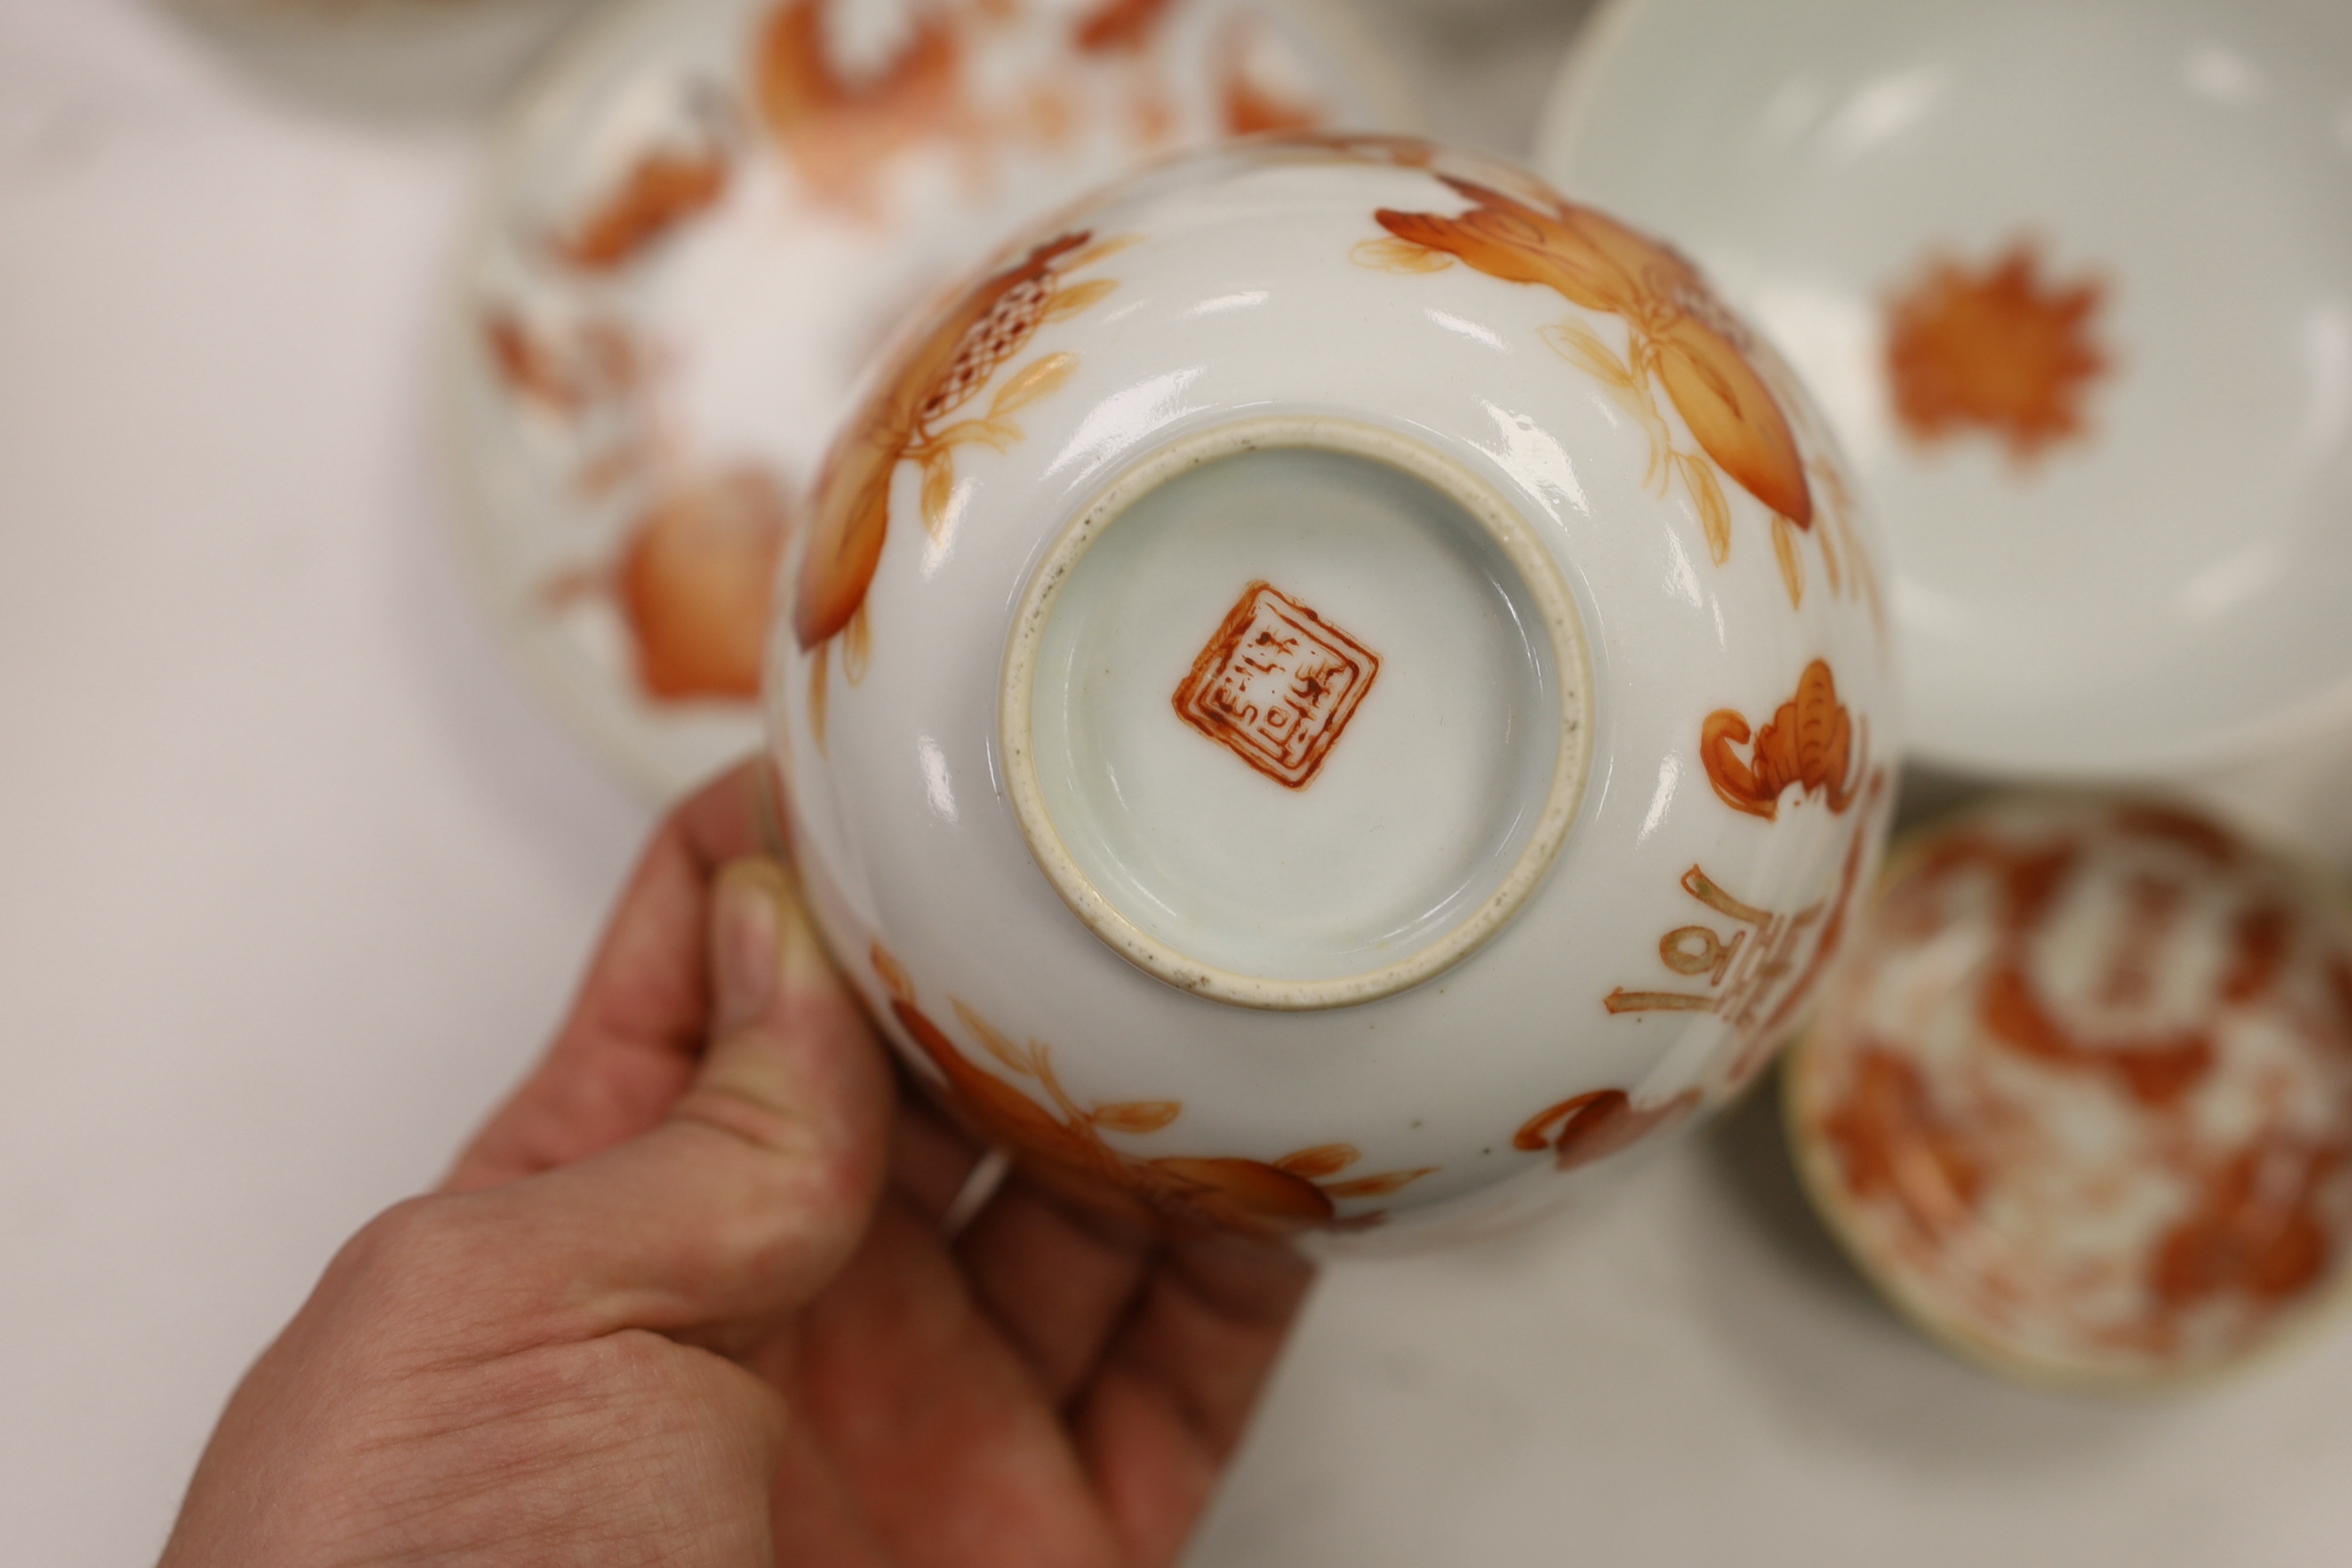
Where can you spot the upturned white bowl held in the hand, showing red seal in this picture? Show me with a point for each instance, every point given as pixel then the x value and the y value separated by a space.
pixel 1332 685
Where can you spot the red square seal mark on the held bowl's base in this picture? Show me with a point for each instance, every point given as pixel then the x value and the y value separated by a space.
pixel 1276 685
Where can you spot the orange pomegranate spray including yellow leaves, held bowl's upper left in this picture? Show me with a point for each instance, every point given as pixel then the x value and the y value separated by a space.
pixel 911 420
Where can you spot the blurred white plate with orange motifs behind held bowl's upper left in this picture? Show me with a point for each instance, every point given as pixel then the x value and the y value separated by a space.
pixel 700 225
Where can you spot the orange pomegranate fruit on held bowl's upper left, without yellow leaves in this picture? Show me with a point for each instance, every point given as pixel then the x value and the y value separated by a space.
pixel 853 492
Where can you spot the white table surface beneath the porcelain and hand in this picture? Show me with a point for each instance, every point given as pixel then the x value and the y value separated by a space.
pixel 295 878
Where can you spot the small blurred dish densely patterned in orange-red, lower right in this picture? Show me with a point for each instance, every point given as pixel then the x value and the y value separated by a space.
pixel 2083 1099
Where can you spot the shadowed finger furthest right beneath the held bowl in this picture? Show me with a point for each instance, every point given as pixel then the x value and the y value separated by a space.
pixel 1177 1386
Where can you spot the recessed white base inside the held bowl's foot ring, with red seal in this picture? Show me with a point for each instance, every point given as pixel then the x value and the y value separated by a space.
pixel 1372 711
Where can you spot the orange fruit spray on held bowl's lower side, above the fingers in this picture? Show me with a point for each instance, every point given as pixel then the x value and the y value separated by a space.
pixel 1064 1148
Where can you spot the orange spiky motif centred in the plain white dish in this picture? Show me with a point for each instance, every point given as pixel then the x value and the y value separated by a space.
pixel 1998 351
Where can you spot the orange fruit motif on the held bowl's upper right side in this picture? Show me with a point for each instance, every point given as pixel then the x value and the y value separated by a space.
pixel 1681 330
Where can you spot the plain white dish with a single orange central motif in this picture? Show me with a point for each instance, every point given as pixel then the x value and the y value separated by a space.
pixel 2071 286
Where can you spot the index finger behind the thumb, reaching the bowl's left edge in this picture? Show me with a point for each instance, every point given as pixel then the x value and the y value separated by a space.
pixel 641 1019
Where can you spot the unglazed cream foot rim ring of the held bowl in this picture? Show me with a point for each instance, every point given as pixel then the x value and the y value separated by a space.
pixel 1572 683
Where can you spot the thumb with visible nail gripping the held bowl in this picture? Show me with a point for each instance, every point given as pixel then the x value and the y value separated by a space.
pixel 756 1188
